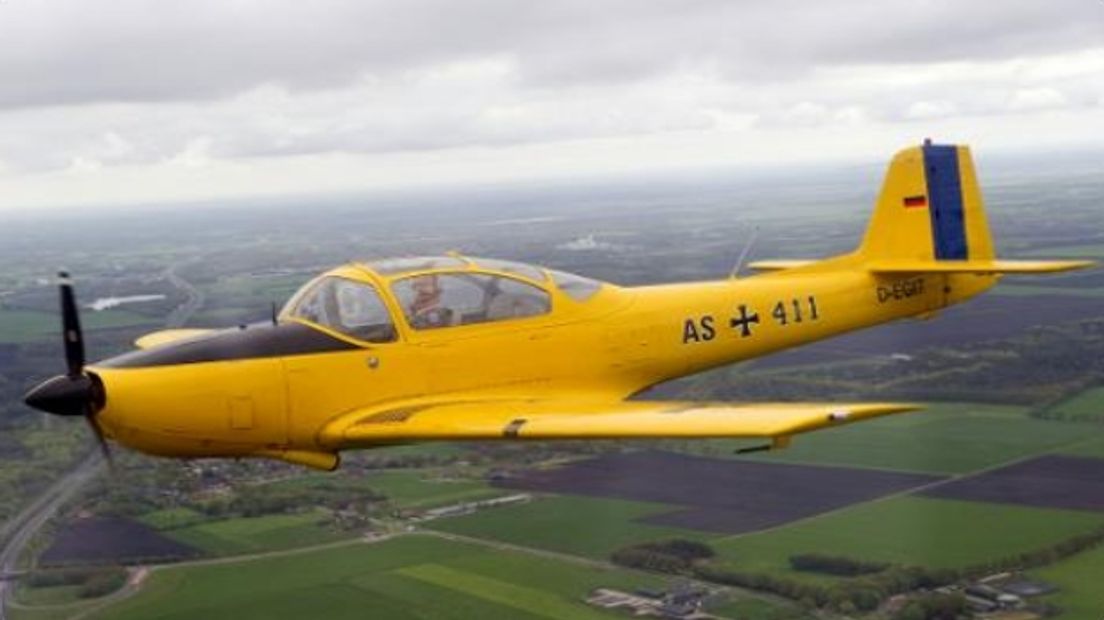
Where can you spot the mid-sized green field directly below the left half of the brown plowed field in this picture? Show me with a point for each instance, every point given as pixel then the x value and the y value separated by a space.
pixel 587 527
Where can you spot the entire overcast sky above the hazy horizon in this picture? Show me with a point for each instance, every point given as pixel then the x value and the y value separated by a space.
pixel 140 101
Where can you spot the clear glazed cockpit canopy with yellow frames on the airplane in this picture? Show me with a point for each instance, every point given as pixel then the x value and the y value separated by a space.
pixel 432 293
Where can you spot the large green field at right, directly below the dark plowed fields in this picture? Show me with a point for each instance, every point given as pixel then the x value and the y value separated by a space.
pixel 909 531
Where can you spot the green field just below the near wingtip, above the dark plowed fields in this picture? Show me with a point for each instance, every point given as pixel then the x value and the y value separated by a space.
pixel 943 439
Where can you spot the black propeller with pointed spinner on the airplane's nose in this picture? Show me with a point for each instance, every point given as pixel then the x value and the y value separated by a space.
pixel 77 393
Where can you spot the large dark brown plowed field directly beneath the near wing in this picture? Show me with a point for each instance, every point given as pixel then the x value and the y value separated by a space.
pixel 718 495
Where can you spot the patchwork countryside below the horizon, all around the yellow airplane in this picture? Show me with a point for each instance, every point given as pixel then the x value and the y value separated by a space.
pixel 997 476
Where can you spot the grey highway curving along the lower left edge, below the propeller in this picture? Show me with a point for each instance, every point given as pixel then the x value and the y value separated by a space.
pixel 19 531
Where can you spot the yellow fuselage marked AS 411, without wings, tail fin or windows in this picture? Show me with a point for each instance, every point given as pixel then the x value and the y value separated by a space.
pixel 273 388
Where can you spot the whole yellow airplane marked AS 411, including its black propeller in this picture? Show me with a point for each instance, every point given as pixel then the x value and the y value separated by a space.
pixel 454 348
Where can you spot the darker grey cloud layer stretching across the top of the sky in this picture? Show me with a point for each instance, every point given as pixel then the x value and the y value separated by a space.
pixel 72 52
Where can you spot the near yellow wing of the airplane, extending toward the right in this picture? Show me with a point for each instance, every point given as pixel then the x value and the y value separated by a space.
pixel 582 420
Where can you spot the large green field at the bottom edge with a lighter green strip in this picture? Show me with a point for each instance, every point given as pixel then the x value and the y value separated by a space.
pixel 408 578
